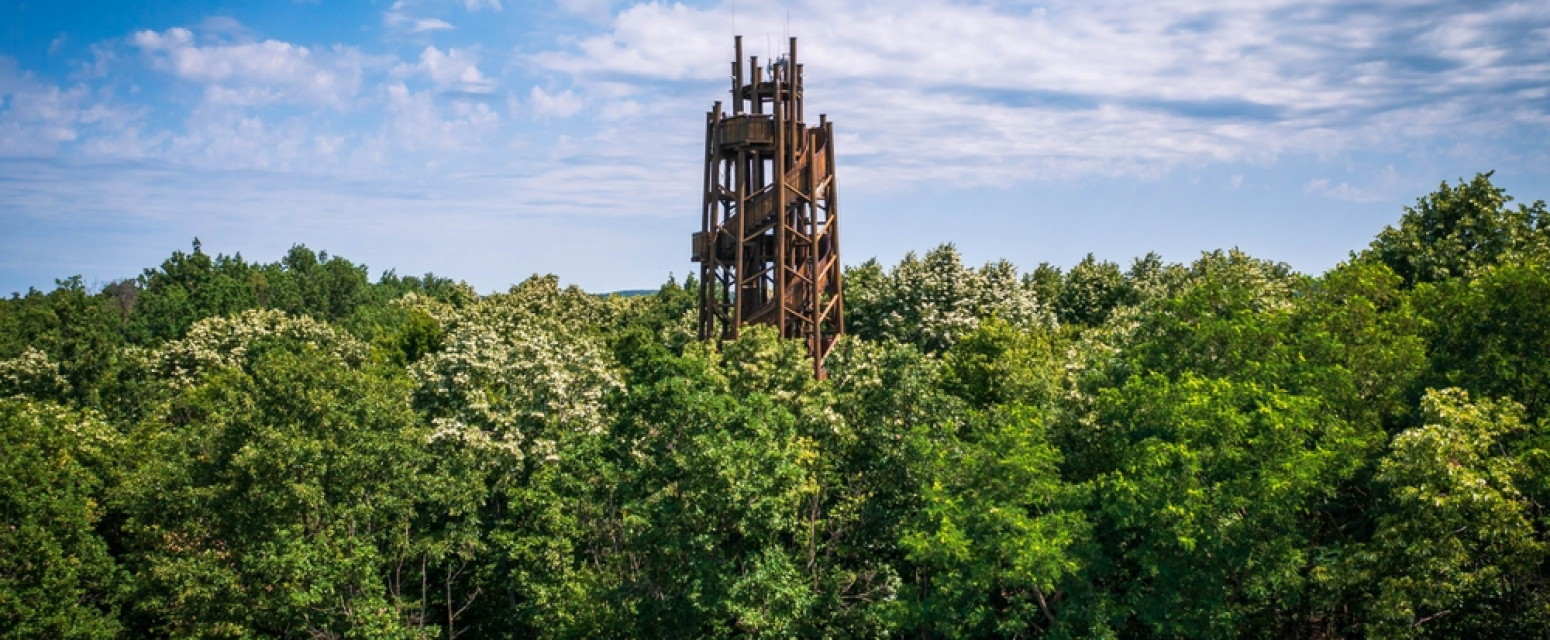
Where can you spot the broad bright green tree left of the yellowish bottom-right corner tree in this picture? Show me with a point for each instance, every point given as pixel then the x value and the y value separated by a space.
pixel 1210 500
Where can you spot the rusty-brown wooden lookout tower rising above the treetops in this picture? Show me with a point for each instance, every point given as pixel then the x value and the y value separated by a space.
pixel 770 246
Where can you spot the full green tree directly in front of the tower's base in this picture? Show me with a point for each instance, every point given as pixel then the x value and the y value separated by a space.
pixel 709 498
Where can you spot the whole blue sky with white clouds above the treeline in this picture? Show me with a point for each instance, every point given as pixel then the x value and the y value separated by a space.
pixel 487 140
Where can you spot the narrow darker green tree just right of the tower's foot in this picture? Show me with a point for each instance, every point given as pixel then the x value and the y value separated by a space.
pixel 872 467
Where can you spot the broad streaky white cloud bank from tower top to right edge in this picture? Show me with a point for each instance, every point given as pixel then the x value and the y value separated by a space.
pixel 974 94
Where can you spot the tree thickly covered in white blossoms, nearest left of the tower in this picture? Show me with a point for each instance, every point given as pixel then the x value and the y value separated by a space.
pixel 517 394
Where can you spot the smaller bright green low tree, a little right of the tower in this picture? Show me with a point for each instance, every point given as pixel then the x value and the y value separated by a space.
pixel 994 537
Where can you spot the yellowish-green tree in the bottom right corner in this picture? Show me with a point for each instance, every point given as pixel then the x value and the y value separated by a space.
pixel 1455 552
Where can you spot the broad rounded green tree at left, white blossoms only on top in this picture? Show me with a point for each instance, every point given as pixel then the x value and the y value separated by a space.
pixel 274 494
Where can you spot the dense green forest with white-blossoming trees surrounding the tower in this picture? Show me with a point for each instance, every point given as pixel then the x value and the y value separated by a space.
pixel 1210 450
